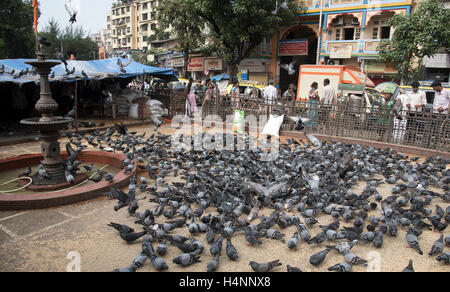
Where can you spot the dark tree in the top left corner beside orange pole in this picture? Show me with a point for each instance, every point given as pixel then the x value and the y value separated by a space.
pixel 17 38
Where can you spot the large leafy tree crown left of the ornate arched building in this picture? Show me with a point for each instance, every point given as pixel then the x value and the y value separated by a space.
pixel 239 26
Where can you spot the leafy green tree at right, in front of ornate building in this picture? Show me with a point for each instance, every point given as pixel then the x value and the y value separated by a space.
pixel 416 36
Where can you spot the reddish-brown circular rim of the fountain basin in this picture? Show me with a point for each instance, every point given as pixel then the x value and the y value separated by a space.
pixel 42 200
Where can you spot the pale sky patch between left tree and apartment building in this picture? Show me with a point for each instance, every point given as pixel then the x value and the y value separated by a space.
pixel 91 13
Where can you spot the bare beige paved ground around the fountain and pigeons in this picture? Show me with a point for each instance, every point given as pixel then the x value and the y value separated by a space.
pixel 41 240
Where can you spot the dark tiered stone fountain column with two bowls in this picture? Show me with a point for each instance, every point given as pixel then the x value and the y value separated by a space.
pixel 48 126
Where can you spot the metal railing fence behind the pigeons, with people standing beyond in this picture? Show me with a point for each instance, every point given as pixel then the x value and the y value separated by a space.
pixel 348 119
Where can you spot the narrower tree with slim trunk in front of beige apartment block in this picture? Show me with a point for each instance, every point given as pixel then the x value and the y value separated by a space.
pixel 184 23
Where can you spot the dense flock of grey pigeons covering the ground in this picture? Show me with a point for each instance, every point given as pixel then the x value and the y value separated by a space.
pixel 223 192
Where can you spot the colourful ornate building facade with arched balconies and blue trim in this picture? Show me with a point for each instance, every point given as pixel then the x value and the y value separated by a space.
pixel 349 35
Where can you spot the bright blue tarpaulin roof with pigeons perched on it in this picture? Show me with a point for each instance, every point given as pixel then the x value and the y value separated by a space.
pixel 96 70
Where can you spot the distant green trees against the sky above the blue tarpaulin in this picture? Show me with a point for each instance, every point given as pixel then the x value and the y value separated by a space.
pixel 73 41
